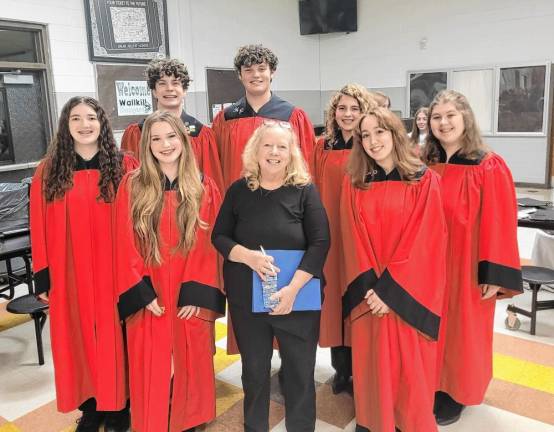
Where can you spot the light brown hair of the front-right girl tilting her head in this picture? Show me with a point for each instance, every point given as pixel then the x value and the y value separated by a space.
pixel 359 162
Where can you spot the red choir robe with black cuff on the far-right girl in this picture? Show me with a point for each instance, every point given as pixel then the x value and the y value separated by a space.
pixel 481 213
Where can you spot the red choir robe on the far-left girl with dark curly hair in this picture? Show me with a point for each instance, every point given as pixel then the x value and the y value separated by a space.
pixel 72 248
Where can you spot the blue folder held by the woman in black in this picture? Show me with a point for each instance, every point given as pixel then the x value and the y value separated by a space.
pixel 309 296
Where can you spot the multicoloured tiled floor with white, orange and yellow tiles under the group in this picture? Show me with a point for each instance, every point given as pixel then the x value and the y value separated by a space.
pixel 520 397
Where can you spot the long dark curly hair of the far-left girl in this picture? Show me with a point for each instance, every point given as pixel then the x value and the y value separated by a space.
pixel 61 158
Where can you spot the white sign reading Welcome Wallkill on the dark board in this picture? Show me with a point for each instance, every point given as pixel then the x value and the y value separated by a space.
pixel 133 98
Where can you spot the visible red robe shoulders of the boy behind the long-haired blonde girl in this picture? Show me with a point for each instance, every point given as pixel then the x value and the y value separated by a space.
pixel 202 140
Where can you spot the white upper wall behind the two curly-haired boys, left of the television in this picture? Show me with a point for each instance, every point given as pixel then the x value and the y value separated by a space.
pixel 210 31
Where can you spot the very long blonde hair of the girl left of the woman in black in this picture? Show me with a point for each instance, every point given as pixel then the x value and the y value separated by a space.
pixel 147 193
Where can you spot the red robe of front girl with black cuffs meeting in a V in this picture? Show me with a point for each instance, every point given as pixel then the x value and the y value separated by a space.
pixel 394 241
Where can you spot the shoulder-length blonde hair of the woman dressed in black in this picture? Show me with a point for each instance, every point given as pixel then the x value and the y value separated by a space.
pixel 296 172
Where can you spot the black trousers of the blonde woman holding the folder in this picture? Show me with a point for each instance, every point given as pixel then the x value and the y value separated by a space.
pixel 254 333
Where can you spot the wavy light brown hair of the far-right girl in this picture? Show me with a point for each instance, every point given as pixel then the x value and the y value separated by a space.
pixel 473 145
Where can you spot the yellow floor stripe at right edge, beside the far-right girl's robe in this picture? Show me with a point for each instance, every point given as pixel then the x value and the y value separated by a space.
pixel 524 373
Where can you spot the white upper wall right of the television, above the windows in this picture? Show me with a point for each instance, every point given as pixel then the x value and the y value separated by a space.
pixel 458 33
